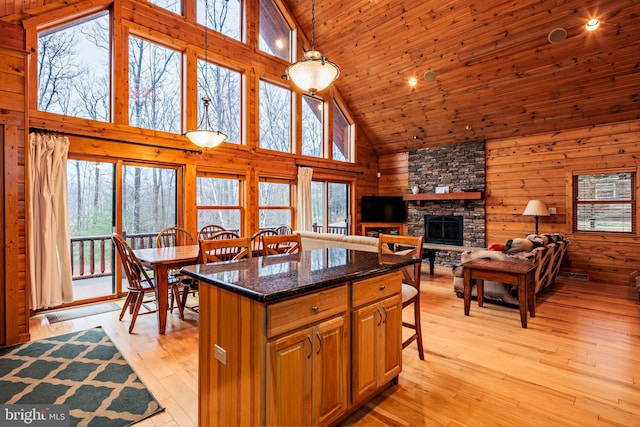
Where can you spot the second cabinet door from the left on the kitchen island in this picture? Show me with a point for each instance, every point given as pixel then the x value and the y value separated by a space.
pixel 330 368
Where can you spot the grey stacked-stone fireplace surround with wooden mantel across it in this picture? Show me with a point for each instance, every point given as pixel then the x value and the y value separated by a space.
pixel 461 167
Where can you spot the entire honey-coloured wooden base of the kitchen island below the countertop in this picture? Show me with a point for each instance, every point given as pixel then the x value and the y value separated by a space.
pixel 296 362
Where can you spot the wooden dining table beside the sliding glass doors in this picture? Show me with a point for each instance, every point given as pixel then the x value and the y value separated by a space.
pixel 162 261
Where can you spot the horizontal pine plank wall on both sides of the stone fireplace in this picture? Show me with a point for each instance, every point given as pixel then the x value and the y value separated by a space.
pixel 540 167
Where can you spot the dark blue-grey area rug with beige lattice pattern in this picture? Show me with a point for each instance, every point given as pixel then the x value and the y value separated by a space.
pixel 82 369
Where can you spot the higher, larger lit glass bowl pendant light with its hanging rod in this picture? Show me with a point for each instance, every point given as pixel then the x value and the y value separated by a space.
pixel 315 72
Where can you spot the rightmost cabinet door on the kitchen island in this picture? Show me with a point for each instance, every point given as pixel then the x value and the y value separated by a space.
pixel 391 351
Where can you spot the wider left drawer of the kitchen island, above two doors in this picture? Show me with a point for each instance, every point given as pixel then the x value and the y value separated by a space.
pixel 305 310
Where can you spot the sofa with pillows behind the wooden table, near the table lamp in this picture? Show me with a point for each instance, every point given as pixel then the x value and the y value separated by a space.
pixel 546 250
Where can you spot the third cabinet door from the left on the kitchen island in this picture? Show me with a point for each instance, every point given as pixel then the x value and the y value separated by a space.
pixel 366 323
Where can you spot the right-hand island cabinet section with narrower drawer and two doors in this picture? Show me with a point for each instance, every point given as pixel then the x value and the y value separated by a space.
pixel 377 335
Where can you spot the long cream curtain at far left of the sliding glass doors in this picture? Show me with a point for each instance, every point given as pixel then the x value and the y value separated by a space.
pixel 49 259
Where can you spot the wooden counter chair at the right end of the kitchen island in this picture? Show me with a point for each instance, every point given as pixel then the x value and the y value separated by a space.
pixel 409 246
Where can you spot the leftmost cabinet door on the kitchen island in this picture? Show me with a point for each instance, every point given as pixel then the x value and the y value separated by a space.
pixel 288 382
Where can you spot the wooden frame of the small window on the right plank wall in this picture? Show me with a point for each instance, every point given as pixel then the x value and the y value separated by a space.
pixel 572 195
